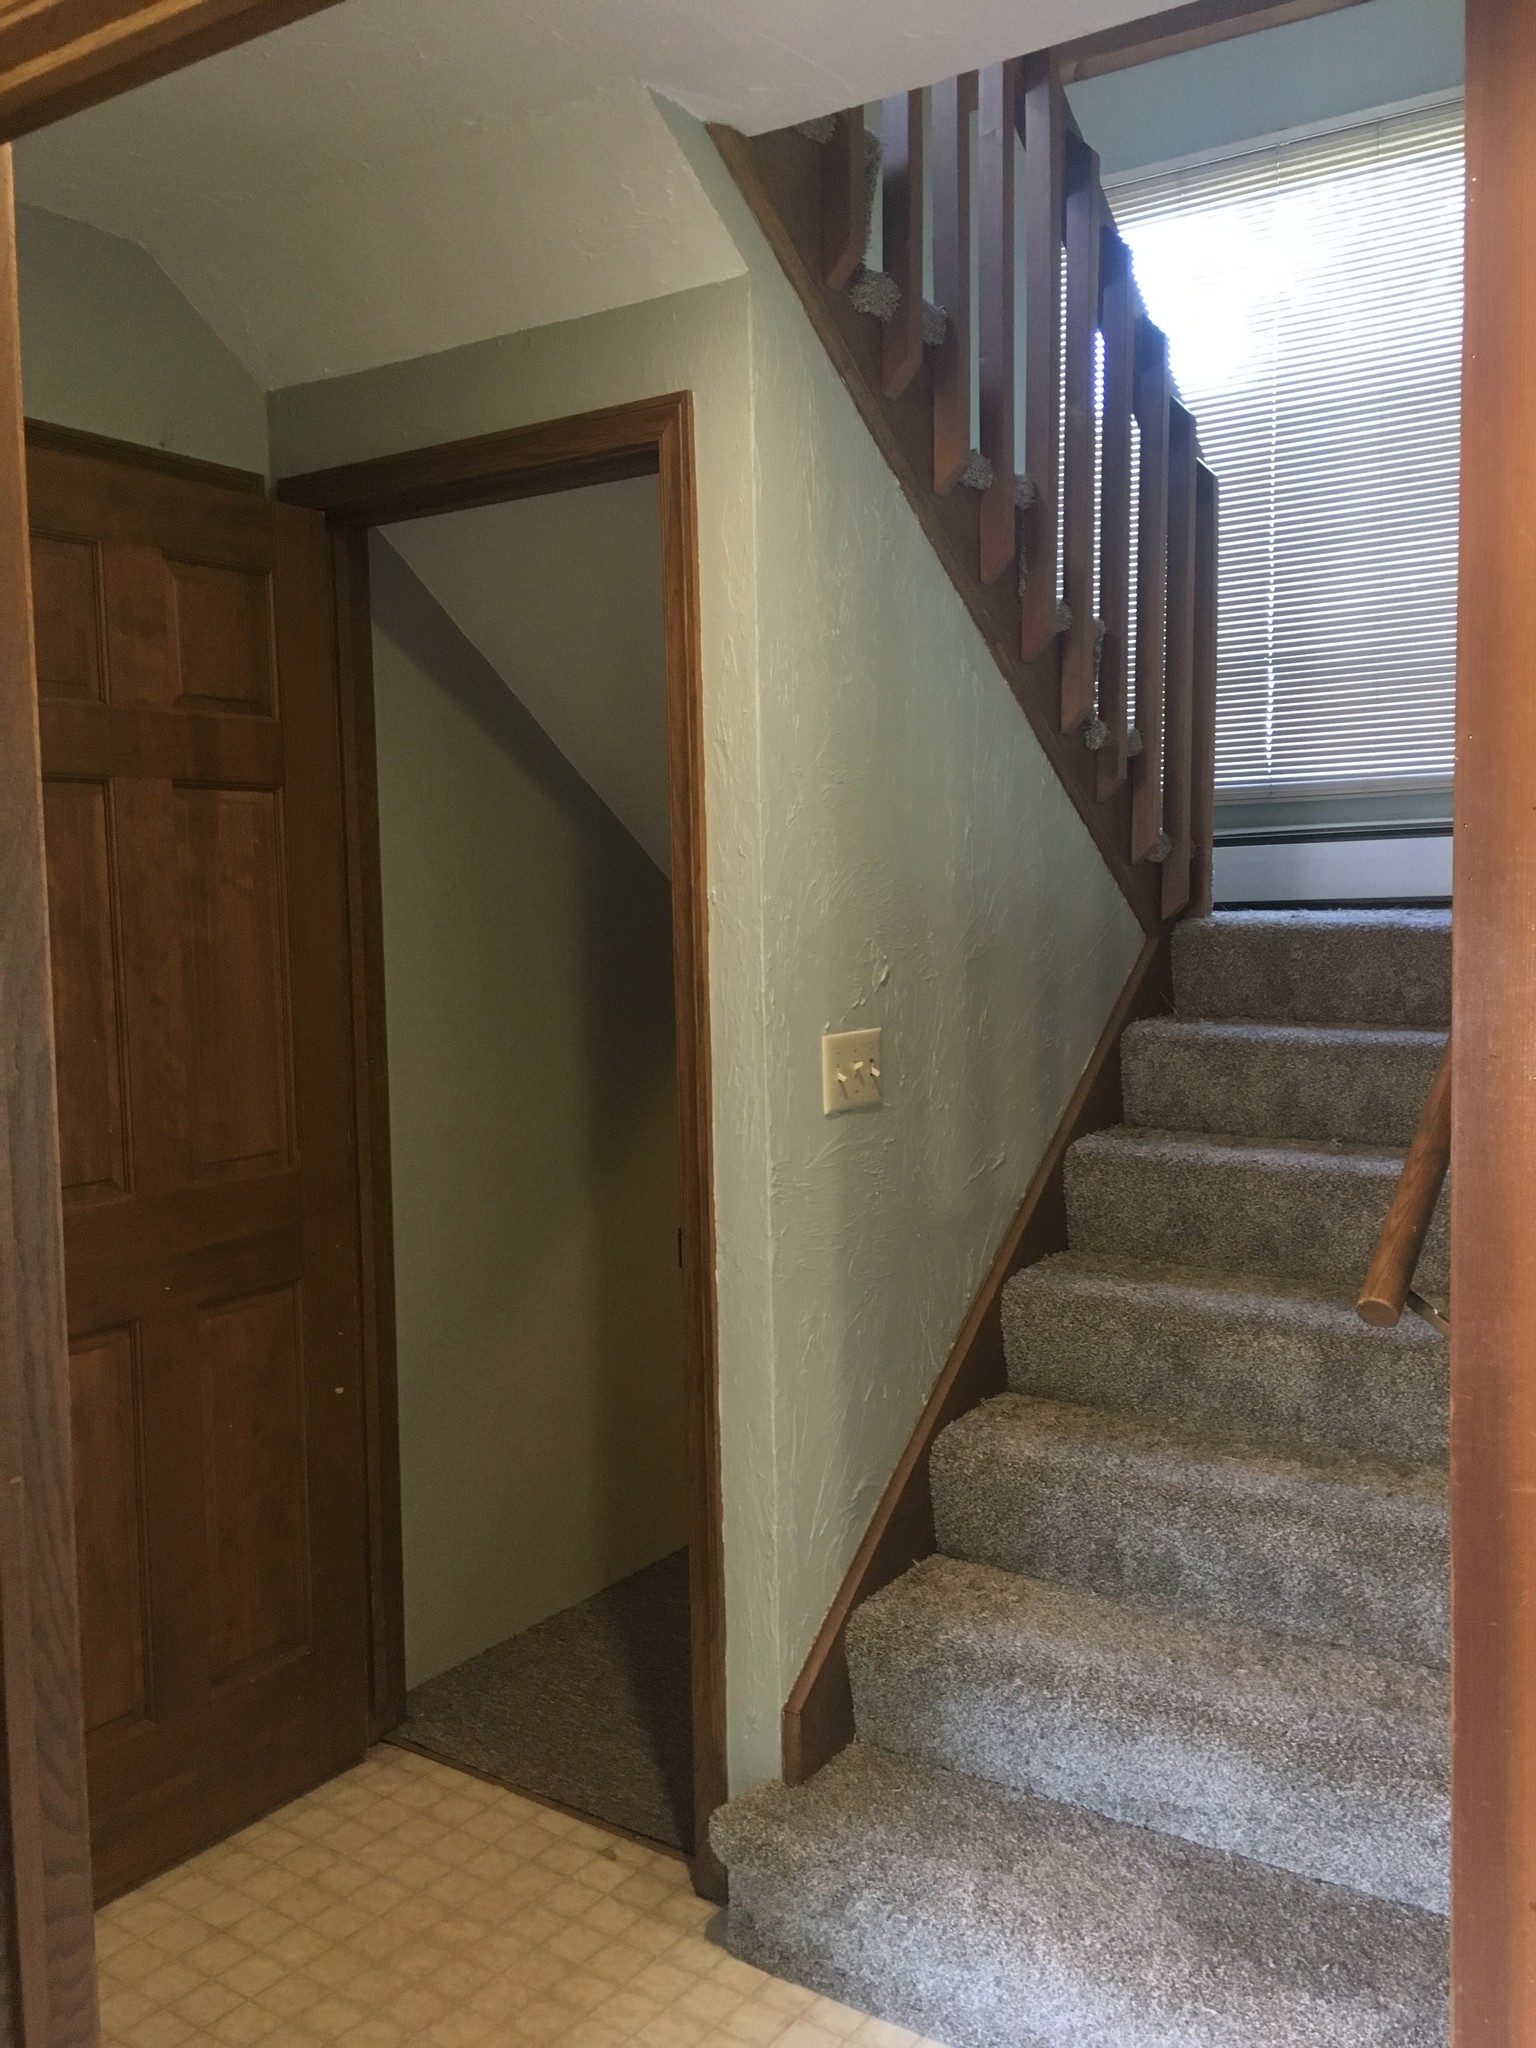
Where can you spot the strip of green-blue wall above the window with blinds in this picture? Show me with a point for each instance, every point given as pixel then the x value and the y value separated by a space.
pixel 1261 85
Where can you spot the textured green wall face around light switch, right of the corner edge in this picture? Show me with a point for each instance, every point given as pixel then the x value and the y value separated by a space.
pixel 923 871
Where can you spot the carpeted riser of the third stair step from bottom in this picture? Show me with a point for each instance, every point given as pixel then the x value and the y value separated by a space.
pixel 1340 1574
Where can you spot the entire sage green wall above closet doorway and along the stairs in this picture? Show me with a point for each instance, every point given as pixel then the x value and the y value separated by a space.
pixel 886 847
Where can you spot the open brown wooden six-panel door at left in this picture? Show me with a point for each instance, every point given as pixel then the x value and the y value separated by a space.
pixel 198 902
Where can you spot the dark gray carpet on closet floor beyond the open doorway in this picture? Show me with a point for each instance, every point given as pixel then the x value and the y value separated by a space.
pixel 589 1709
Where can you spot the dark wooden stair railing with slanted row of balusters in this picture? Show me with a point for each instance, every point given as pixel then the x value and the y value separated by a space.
pixel 959 257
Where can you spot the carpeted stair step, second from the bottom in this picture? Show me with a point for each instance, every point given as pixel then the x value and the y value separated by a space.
pixel 1316 1760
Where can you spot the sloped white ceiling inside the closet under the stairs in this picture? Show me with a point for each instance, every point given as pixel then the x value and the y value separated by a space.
pixel 564 599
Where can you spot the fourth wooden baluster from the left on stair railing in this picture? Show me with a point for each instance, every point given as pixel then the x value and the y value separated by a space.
pixel 998 361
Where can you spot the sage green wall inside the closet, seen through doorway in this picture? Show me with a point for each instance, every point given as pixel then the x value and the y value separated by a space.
pixel 536 1154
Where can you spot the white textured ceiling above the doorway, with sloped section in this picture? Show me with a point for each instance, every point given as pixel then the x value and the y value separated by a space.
pixel 398 177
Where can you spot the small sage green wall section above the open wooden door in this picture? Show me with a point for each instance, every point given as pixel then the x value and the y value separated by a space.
pixel 112 347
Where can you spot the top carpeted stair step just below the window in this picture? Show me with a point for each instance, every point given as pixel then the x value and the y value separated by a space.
pixel 1316 968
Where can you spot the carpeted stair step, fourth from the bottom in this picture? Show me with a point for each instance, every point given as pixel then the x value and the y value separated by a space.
pixel 1242 1353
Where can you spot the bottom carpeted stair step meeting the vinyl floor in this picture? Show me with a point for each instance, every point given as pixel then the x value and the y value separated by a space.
pixel 994 1920
